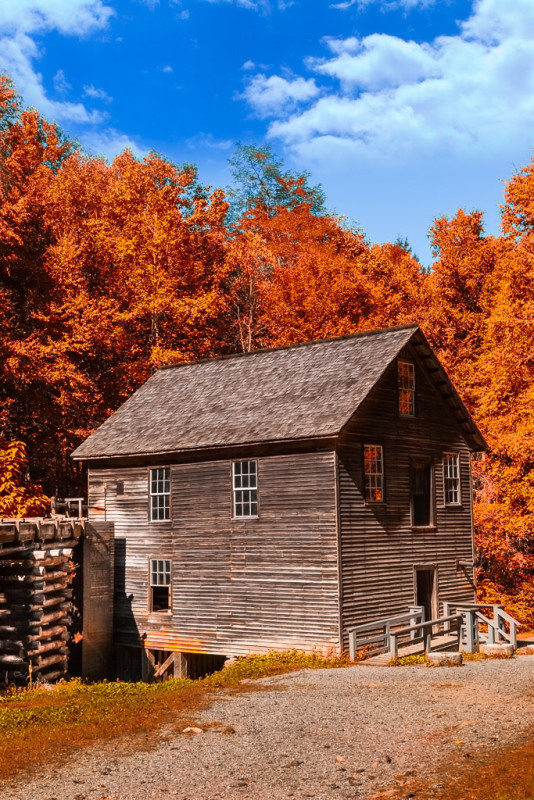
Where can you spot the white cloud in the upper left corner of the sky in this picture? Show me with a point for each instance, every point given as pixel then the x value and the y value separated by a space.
pixel 19 22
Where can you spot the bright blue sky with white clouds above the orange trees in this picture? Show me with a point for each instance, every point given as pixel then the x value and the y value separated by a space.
pixel 403 110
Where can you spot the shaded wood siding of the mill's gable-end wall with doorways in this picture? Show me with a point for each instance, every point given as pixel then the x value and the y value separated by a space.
pixel 379 548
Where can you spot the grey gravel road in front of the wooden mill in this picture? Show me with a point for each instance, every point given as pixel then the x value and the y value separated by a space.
pixel 322 734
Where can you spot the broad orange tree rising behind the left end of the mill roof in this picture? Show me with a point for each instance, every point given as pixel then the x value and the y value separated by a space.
pixel 137 264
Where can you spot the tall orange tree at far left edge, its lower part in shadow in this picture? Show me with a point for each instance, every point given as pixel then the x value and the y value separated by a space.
pixel 31 153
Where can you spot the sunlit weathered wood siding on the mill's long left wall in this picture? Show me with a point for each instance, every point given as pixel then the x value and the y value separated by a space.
pixel 238 586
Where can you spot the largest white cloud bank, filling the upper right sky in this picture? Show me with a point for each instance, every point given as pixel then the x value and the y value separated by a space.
pixel 389 98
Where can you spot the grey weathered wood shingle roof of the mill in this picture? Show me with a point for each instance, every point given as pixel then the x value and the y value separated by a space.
pixel 302 392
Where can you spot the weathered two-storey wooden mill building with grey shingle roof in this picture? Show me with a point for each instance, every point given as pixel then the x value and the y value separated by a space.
pixel 274 499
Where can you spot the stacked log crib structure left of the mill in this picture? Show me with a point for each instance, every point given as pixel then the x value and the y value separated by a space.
pixel 36 571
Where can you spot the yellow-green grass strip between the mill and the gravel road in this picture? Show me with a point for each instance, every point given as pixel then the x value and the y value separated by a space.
pixel 44 724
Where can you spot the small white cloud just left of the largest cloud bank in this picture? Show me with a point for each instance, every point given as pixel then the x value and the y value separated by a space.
pixel 274 95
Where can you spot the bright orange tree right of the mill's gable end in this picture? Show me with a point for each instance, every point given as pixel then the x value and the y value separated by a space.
pixel 480 322
